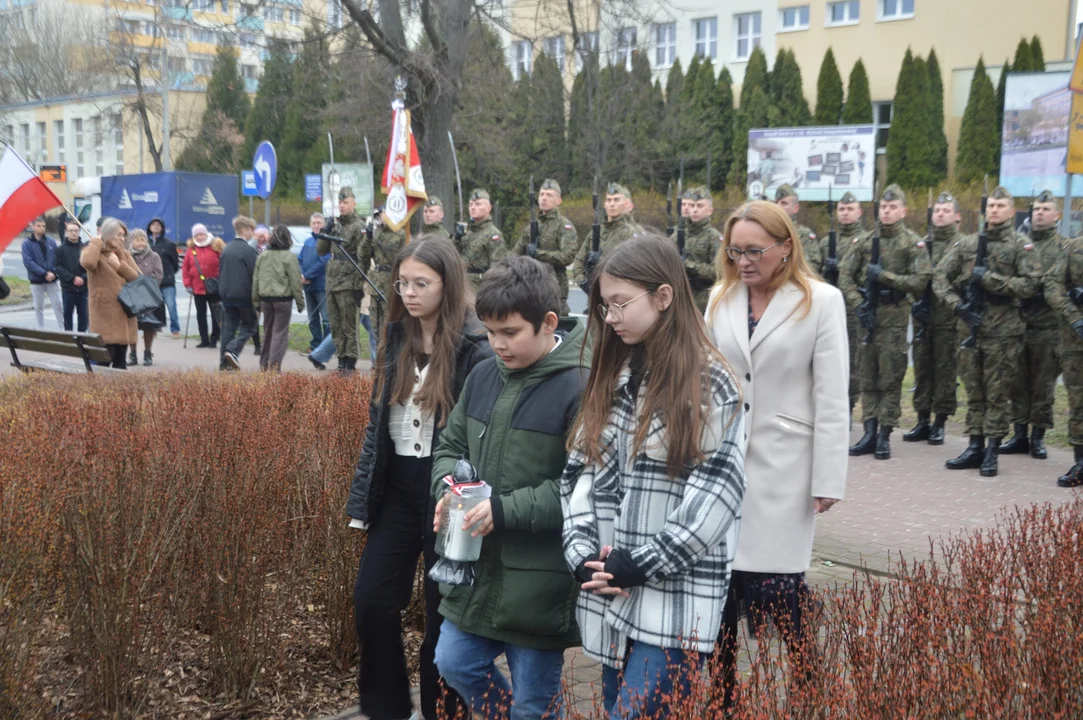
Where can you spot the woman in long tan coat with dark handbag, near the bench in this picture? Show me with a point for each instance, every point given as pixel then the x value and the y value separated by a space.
pixel 109 268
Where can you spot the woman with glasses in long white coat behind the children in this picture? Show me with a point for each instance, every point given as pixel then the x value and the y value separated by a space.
pixel 784 332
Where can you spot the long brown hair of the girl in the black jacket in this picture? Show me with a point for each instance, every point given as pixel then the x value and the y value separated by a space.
pixel 437 395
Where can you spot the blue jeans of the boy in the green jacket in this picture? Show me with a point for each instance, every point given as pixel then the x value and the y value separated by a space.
pixel 465 661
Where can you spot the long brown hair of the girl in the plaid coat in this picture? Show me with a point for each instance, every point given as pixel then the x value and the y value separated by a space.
pixel 676 351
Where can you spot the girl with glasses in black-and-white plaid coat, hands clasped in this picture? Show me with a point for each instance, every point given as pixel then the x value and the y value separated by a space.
pixel 654 486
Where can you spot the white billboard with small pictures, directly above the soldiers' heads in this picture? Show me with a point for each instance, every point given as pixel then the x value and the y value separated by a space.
pixel 813 161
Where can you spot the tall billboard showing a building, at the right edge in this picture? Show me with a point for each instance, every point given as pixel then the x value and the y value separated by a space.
pixel 1035 140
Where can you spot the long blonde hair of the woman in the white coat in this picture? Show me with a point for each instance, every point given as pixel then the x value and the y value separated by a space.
pixel 776 222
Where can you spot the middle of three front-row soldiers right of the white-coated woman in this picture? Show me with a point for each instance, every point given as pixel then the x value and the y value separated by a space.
pixel 1013 272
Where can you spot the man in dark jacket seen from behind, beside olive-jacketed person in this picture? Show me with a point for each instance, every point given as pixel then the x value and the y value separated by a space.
pixel 237 269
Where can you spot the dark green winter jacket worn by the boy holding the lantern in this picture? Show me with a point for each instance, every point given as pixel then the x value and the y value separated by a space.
pixel 513 427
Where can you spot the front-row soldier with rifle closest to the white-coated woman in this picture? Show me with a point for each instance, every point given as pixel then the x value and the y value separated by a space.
pixel 904 269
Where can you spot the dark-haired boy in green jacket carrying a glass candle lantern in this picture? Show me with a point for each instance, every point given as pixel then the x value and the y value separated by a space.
pixel 512 423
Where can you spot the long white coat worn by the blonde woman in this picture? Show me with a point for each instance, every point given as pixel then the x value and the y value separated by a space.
pixel 794 373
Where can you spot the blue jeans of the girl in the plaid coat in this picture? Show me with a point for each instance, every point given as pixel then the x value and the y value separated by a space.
pixel 649 677
